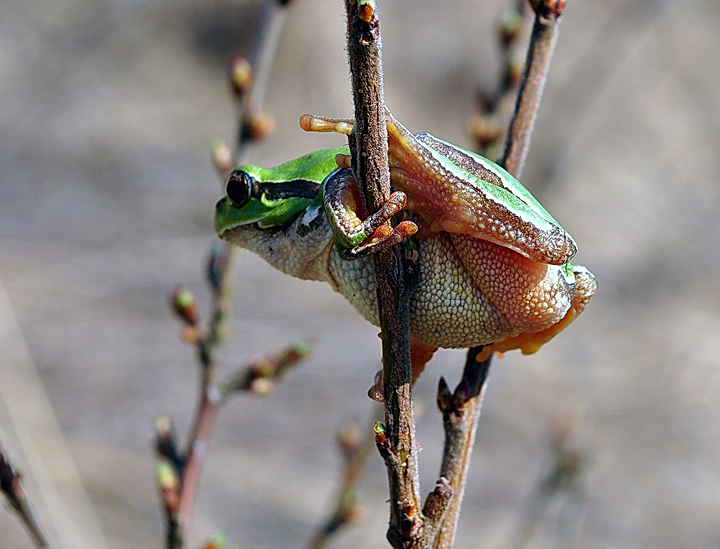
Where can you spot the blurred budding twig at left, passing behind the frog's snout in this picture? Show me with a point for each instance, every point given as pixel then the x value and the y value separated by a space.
pixel 178 478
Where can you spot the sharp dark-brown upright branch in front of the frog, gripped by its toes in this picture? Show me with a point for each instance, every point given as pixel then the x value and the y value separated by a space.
pixel 369 151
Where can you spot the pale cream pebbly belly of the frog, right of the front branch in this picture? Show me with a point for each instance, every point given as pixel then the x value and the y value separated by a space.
pixel 448 310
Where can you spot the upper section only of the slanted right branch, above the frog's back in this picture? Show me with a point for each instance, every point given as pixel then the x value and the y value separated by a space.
pixel 542 43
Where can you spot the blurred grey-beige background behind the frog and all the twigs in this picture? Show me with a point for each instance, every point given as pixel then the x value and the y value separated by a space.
pixel 108 109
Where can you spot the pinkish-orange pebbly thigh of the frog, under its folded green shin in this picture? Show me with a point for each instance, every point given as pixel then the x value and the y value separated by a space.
pixel 533 296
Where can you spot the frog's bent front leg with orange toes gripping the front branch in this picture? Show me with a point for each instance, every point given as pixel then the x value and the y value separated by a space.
pixel 356 237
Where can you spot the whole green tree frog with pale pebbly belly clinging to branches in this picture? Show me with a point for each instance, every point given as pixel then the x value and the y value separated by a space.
pixel 493 266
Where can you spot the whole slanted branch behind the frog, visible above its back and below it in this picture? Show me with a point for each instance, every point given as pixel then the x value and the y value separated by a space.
pixel 461 409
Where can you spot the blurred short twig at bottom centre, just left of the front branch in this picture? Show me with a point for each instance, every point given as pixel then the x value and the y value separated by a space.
pixel 356 450
